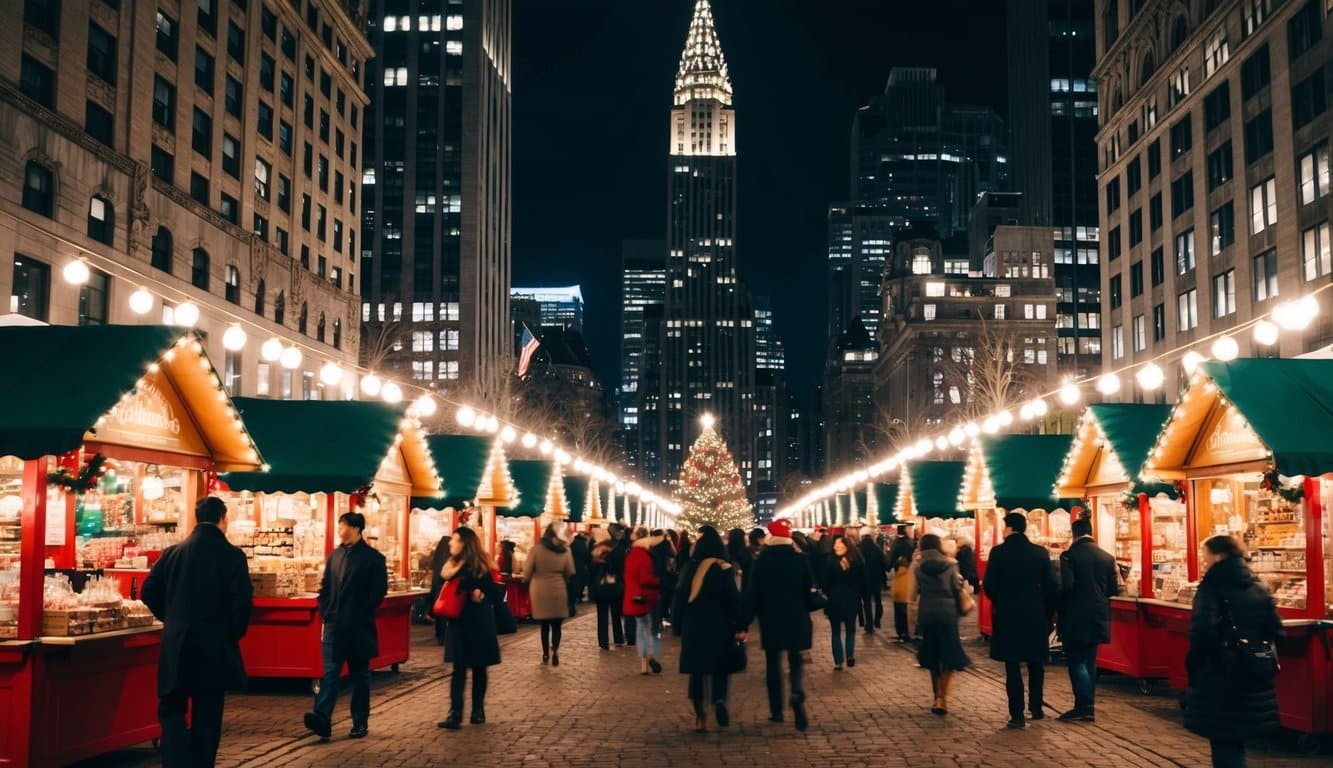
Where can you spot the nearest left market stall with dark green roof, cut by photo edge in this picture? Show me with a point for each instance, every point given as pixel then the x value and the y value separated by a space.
pixel 109 438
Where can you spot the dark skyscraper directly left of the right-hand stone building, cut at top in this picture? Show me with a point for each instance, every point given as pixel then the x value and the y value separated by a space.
pixel 1052 142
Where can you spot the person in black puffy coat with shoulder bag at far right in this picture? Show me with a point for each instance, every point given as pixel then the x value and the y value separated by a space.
pixel 1228 703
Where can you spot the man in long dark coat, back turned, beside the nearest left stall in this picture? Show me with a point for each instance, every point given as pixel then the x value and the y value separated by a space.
pixel 202 593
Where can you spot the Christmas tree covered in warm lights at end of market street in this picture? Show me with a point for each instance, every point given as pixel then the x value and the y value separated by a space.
pixel 710 489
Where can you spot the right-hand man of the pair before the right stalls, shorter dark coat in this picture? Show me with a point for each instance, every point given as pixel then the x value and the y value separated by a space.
pixel 1088 581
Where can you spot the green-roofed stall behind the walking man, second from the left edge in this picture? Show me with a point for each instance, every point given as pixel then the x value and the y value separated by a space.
pixel 374 461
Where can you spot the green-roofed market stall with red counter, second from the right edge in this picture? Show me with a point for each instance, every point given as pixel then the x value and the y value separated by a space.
pixel 1111 445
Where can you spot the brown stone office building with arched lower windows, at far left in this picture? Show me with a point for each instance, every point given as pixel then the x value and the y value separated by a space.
pixel 201 165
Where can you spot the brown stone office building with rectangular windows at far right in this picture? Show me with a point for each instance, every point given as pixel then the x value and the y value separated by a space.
pixel 1214 187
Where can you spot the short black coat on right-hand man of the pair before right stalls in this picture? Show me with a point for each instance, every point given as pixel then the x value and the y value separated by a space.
pixel 1088 581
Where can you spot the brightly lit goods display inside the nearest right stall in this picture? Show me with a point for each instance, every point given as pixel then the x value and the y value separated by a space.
pixel 1271 527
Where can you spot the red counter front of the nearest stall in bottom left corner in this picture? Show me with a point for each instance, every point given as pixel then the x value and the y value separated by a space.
pixel 69 699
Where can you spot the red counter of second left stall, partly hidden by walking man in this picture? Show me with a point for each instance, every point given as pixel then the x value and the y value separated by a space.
pixel 283 639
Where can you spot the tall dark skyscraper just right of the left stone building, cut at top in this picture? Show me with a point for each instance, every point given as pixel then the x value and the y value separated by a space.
pixel 435 245
